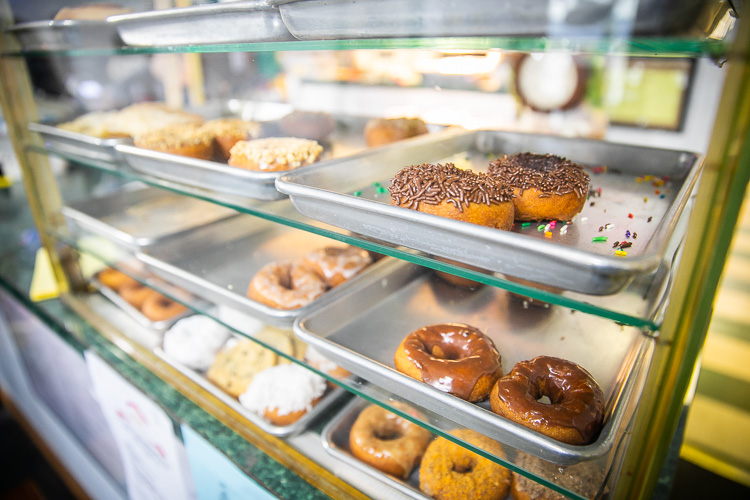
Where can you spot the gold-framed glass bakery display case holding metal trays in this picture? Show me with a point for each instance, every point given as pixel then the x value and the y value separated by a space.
pixel 624 288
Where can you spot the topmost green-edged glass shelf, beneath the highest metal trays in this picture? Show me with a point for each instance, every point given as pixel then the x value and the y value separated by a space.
pixel 643 47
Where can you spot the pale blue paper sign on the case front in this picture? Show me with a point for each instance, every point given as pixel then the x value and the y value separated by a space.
pixel 214 475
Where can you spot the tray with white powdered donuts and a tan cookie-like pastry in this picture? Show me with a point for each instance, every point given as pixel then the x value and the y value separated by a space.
pixel 279 396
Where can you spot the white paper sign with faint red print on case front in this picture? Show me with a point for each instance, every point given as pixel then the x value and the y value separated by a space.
pixel 152 455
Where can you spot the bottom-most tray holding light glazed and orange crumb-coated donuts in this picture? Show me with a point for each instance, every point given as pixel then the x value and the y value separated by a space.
pixel 400 453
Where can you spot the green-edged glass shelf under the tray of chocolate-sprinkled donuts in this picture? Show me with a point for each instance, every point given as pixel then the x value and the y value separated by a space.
pixel 639 304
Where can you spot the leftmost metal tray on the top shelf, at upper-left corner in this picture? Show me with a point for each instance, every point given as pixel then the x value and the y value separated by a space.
pixel 66 34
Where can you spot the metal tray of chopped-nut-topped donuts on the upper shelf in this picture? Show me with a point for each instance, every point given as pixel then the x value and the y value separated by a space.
pixel 242 158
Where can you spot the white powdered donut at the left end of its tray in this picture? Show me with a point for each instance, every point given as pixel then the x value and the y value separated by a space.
pixel 194 341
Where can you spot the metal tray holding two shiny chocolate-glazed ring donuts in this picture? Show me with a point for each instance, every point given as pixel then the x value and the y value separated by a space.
pixel 463 353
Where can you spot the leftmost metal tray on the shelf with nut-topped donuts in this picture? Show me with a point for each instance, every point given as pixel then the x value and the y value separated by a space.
pixel 79 145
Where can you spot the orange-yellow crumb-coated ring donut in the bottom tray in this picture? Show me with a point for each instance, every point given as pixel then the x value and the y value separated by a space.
pixel 451 472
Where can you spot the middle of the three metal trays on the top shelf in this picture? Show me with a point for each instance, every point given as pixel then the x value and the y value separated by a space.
pixel 231 22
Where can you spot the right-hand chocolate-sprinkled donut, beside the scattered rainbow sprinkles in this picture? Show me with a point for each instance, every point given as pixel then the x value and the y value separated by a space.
pixel 545 187
